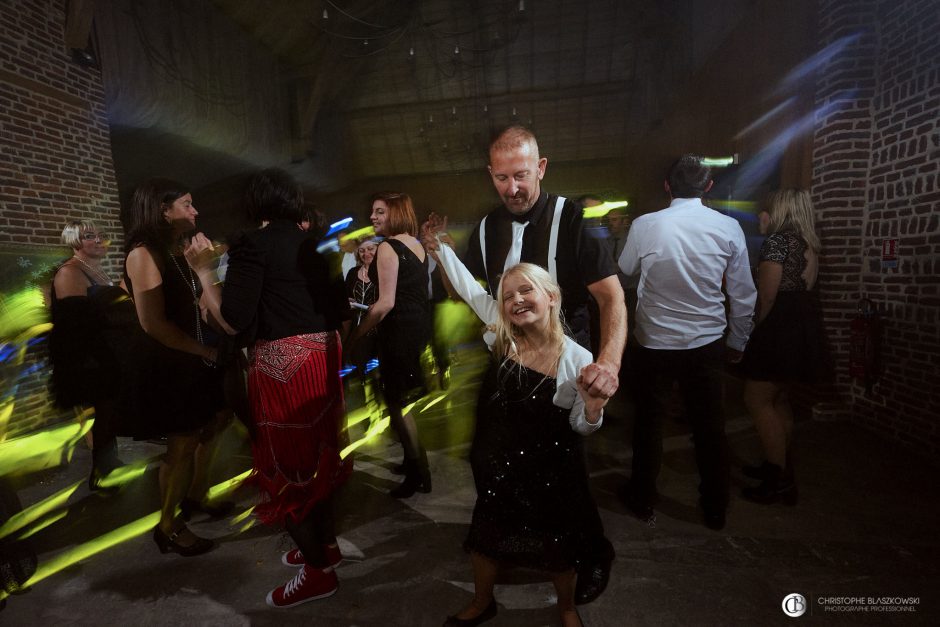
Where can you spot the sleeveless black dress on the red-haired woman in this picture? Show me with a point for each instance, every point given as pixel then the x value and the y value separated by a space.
pixel 404 333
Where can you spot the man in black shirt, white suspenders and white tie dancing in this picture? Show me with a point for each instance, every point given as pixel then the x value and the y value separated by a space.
pixel 537 227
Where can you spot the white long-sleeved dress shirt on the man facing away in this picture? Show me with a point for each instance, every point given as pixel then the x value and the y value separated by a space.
pixel 682 254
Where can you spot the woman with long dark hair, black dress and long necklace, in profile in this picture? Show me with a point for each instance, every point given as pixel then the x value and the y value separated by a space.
pixel 178 385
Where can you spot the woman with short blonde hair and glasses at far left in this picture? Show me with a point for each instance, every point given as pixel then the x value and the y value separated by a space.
pixel 80 360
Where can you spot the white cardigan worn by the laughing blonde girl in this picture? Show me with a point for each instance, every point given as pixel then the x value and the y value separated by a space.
pixel 573 356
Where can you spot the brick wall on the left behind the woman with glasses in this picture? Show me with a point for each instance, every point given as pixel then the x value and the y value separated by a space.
pixel 55 156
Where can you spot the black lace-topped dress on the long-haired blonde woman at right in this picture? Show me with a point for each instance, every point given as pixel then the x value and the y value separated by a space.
pixel 788 345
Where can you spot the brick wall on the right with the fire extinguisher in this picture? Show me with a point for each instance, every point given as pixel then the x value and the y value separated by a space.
pixel 876 176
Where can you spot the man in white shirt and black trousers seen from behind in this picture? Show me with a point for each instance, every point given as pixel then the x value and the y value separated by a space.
pixel 687 257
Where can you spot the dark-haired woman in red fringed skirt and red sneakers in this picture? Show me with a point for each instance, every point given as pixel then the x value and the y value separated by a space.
pixel 278 288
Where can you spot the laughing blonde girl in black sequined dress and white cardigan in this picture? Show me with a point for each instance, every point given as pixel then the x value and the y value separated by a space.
pixel 527 457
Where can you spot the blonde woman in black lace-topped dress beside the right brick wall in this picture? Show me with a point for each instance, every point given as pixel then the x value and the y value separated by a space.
pixel 786 344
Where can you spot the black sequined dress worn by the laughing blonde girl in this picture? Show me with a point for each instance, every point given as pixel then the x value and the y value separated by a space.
pixel 528 468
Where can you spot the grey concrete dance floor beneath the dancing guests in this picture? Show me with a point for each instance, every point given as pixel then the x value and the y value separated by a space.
pixel 866 526
